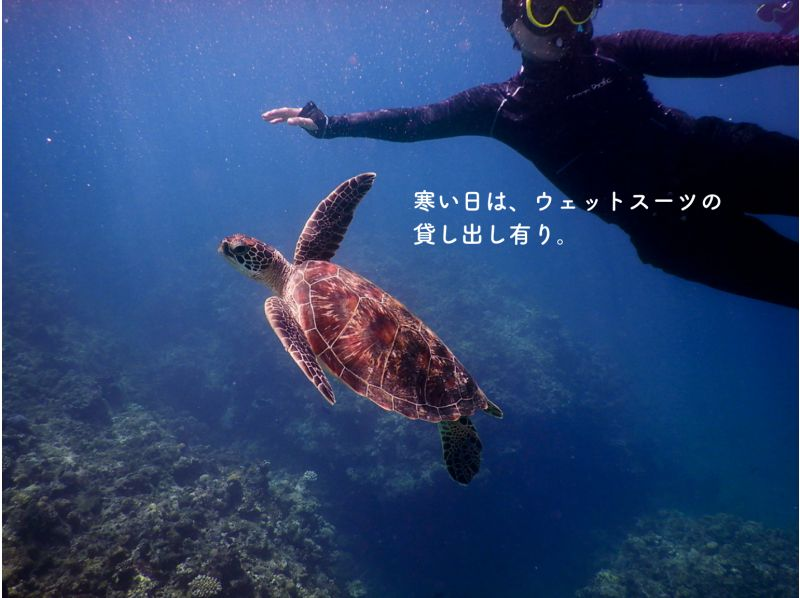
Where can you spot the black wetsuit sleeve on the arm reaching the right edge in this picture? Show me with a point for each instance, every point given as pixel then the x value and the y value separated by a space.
pixel 668 55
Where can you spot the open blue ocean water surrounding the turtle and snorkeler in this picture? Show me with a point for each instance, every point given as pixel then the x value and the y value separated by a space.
pixel 132 143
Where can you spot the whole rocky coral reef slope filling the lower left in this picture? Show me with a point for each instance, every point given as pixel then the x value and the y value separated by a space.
pixel 109 491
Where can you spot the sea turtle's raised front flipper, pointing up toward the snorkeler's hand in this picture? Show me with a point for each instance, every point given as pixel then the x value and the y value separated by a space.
pixel 326 227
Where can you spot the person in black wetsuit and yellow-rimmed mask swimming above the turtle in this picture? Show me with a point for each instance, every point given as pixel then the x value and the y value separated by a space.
pixel 580 110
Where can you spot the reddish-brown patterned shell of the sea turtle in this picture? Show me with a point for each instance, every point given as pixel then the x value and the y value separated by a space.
pixel 371 342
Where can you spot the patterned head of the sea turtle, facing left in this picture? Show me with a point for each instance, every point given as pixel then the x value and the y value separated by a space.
pixel 255 259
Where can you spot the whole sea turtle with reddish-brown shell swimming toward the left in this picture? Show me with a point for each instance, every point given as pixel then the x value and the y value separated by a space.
pixel 323 312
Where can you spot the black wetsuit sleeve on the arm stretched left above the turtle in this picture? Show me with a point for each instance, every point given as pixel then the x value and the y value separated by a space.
pixel 471 112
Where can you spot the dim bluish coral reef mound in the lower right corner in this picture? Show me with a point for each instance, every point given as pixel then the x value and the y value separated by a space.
pixel 714 556
